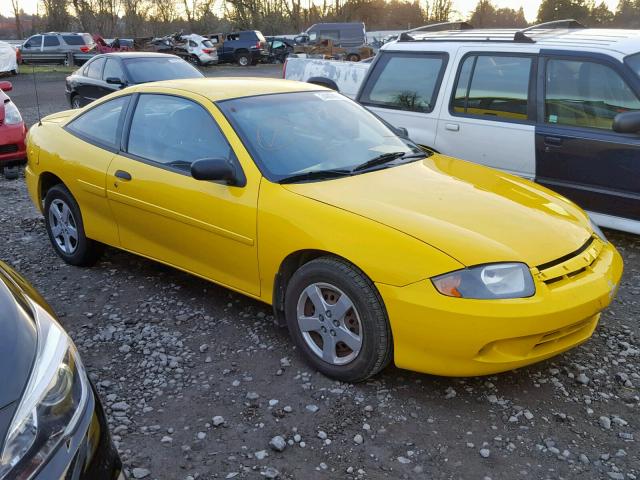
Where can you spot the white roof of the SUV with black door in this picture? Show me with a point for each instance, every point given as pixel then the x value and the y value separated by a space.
pixel 621 41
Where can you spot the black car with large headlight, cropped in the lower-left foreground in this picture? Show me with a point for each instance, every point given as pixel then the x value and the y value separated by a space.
pixel 52 425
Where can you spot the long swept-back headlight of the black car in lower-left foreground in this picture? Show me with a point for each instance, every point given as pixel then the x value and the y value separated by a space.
pixel 51 404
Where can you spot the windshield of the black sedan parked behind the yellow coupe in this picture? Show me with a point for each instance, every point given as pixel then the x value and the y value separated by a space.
pixel 154 69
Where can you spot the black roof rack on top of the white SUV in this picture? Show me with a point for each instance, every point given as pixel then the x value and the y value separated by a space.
pixel 472 35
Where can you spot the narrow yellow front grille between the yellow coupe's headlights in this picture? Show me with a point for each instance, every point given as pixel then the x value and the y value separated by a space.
pixel 571 265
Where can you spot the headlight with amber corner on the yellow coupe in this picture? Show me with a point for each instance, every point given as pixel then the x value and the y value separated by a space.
pixel 498 280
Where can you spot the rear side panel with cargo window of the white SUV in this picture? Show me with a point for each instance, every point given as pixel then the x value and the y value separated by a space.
pixel 403 87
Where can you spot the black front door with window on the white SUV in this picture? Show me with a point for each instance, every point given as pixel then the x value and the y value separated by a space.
pixel 577 152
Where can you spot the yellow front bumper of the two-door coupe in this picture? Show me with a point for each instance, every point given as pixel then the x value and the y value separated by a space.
pixel 448 336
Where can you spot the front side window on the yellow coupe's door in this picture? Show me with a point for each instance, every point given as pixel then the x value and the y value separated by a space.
pixel 175 132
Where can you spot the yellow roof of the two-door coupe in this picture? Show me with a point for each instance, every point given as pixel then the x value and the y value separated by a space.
pixel 216 89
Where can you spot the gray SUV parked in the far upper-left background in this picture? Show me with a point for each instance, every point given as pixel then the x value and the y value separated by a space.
pixel 48 47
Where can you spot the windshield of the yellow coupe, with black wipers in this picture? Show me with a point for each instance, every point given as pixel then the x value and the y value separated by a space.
pixel 295 133
